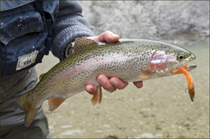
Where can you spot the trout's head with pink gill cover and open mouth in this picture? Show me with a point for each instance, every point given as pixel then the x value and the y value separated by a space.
pixel 163 61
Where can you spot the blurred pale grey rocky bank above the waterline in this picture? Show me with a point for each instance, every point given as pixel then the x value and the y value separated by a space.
pixel 178 21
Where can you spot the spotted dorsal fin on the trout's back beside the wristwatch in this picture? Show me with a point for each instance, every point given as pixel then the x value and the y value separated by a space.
pixel 81 42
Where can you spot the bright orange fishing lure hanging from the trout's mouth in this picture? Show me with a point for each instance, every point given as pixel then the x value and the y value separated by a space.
pixel 184 71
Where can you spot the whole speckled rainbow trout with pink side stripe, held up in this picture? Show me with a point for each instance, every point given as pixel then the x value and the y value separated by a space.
pixel 128 59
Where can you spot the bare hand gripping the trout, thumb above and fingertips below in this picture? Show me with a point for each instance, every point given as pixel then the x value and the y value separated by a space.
pixel 113 83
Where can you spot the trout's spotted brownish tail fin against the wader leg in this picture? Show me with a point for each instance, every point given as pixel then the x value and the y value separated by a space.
pixel 26 105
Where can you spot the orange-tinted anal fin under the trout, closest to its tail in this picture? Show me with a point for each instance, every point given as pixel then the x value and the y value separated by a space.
pixel 55 102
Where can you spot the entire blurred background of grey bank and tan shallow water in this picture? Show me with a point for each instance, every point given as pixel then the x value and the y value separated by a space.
pixel 162 108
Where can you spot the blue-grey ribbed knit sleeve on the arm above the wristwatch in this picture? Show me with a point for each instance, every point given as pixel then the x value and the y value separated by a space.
pixel 69 25
